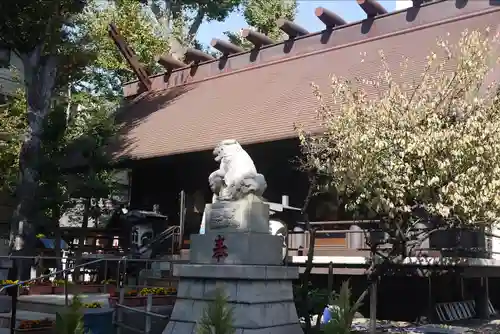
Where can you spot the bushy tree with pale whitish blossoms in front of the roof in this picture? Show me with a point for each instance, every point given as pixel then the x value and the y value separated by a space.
pixel 432 146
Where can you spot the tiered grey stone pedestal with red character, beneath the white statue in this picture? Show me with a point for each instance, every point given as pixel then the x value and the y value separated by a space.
pixel 249 270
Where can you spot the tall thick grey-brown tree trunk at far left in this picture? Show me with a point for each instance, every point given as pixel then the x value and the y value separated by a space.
pixel 39 74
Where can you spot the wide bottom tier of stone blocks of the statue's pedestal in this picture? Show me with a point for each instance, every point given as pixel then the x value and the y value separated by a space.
pixel 261 298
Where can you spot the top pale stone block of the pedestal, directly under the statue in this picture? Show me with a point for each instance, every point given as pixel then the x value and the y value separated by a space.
pixel 249 214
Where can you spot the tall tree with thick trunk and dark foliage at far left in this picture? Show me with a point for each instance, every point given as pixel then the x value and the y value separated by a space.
pixel 40 33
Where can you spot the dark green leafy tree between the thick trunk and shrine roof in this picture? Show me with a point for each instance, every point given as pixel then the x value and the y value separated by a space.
pixel 76 139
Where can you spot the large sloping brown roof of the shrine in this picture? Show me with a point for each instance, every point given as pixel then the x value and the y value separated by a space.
pixel 258 97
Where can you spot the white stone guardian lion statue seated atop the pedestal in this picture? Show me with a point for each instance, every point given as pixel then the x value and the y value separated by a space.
pixel 237 175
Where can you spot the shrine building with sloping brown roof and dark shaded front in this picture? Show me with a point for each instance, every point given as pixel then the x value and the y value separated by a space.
pixel 173 120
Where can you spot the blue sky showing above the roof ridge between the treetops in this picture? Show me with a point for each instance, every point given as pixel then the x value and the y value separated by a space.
pixel 348 9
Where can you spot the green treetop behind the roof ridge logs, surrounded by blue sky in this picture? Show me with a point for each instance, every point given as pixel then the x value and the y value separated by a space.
pixel 262 15
